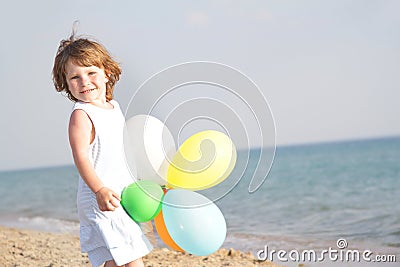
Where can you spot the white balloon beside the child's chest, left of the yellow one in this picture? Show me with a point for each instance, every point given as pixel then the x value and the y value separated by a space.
pixel 148 145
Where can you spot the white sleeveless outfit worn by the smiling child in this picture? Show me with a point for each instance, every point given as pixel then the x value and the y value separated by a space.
pixel 110 235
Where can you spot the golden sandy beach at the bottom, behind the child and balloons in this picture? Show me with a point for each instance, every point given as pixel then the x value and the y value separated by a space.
pixel 26 248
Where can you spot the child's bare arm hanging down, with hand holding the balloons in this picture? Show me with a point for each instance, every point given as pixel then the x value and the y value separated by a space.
pixel 81 134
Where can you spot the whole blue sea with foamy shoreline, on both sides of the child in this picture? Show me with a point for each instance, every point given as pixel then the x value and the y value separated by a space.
pixel 337 196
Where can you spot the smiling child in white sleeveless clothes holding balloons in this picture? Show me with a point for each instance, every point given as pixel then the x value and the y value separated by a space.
pixel 85 71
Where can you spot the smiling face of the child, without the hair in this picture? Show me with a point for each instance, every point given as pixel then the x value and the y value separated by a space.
pixel 87 84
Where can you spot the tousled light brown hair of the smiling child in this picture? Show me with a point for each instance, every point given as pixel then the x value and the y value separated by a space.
pixel 84 52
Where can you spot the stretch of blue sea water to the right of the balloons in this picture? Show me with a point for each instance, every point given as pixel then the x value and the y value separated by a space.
pixel 316 194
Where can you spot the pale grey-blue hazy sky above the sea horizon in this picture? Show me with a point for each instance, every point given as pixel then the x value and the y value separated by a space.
pixel 327 69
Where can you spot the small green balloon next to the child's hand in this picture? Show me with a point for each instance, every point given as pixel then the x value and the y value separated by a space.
pixel 142 200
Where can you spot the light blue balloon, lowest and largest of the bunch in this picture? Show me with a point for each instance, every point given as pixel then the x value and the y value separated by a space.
pixel 195 223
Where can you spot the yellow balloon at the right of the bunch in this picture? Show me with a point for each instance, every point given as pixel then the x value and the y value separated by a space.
pixel 205 159
